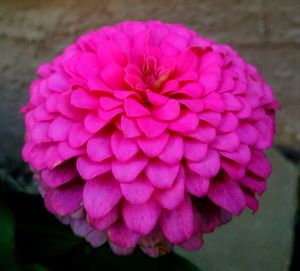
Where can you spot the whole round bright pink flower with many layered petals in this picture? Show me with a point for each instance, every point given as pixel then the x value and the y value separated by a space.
pixel 147 134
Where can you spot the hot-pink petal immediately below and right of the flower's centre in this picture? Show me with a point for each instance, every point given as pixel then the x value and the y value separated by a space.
pixel 169 111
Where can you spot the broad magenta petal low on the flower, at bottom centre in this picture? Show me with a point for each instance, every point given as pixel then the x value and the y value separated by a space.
pixel 141 218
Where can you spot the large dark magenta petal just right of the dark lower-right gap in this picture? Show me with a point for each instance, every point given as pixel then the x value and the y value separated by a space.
pixel 228 195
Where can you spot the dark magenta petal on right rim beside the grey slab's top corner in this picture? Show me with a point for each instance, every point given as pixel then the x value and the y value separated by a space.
pixel 259 165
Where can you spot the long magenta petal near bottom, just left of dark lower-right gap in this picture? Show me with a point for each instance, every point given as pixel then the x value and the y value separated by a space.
pixel 177 224
